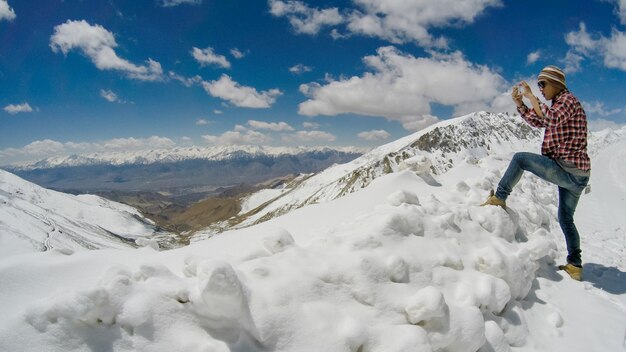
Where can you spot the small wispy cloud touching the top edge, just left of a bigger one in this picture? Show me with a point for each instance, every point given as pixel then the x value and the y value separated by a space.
pixel 303 18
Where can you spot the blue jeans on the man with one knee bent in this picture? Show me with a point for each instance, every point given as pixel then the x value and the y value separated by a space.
pixel 570 189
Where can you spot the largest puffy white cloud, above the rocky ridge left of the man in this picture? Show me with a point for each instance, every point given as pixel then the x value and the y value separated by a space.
pixel 401 87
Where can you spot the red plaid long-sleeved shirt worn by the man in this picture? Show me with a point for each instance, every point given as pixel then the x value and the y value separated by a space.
pixel 565 136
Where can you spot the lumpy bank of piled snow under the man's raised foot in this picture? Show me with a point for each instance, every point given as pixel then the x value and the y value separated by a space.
pixel 435 275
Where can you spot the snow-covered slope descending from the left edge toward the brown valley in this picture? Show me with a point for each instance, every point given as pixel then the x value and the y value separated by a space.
pixel 36 219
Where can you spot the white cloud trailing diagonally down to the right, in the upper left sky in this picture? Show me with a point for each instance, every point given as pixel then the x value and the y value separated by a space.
pixel 98 44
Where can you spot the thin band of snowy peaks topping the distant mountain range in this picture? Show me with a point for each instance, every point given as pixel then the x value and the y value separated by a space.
pixel 179 154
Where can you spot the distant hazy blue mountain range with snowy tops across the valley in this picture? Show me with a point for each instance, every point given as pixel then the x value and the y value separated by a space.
pixel 179 171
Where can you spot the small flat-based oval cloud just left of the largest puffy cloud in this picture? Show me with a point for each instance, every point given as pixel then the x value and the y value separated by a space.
pixel 227 89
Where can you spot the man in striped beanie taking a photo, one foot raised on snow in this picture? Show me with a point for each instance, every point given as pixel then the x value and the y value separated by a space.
pixel 563 160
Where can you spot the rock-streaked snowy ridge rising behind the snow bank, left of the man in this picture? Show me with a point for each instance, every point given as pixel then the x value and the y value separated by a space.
pixel 433 150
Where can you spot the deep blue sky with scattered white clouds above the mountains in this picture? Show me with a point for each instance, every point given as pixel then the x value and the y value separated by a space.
pixel 116 75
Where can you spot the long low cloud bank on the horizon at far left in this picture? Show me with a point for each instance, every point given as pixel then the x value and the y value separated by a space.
pixel 47 148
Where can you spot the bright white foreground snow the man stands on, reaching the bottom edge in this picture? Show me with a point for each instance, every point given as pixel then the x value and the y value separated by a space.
pixel 404 264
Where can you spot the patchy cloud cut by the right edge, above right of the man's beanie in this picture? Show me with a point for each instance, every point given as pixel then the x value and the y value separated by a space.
pixel 612 50
